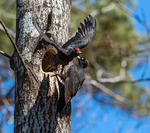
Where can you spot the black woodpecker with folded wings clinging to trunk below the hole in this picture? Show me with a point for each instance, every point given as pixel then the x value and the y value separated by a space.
pixel 75 77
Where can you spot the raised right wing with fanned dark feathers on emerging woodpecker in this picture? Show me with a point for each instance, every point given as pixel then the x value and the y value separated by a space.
pixel 84 34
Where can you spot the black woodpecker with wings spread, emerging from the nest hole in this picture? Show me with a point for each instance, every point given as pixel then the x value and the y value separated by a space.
pixel 72 47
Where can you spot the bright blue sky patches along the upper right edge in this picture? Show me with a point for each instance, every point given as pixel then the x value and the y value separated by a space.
pixel 143 11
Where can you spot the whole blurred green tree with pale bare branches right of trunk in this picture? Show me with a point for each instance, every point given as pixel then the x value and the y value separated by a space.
pixel 115 43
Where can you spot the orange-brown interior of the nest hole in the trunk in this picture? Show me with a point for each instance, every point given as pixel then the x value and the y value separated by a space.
pixel 46 61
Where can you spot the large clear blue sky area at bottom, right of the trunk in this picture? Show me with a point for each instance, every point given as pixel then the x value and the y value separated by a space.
pixel 106 119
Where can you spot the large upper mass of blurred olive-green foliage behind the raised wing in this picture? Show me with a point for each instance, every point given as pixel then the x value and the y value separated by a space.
pixel 115 25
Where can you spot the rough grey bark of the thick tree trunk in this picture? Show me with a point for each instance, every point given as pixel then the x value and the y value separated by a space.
pixel 37 92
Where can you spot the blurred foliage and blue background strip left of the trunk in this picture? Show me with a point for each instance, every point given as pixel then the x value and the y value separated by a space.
pixel 8 15
